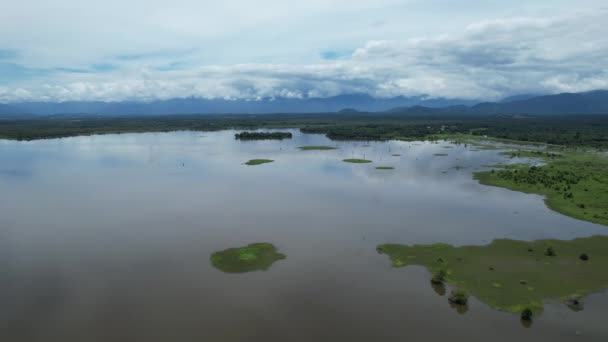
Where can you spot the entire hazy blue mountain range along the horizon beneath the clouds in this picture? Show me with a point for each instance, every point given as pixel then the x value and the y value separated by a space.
pixel 594 102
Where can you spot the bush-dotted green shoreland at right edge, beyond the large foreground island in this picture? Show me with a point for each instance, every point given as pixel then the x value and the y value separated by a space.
pixel 574 184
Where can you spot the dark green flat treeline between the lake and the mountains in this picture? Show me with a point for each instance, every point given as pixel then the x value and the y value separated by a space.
pixel 571 130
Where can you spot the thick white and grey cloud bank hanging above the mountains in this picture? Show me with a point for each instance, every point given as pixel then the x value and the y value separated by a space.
pixel 486 59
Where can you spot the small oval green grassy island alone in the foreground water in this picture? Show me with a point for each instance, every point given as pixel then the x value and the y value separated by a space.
pixel 253 257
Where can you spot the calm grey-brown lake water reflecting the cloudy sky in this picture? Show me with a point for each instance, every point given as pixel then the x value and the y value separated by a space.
pixel 108 238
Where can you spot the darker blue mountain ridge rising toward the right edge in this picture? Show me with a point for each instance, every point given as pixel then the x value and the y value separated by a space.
pixel 594 102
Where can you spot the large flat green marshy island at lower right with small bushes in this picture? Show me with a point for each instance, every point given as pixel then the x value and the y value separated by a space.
pixel 511 275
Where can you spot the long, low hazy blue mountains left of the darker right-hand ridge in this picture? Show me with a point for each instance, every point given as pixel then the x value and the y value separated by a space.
pixel 358 102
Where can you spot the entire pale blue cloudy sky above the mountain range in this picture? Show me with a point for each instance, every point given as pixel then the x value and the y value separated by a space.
pixel 142 50
